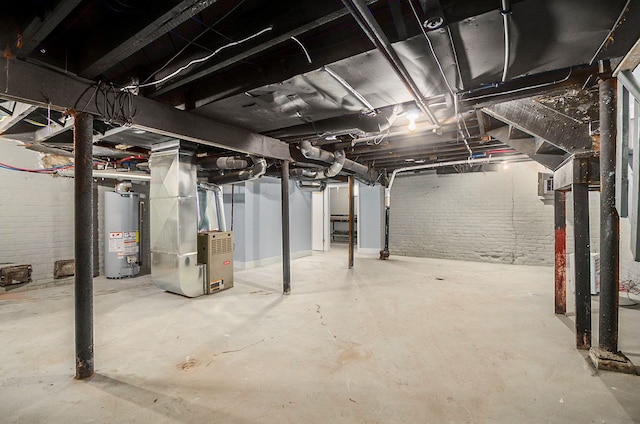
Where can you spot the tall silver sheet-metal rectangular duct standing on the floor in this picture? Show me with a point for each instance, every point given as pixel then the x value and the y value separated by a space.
pixel 174 220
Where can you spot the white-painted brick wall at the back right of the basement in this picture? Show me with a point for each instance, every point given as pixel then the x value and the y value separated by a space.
pixel 489 217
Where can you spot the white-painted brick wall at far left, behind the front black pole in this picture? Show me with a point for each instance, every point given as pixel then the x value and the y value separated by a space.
pixel 36 217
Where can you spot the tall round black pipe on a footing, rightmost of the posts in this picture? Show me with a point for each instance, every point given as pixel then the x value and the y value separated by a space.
pixel 609 220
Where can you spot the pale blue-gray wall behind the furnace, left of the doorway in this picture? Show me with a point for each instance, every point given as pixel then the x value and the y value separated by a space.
pixel 257 222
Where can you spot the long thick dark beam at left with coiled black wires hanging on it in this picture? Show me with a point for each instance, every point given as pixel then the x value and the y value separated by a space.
pixel 36 85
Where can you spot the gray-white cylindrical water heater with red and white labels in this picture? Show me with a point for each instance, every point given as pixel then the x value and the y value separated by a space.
pixel 122 232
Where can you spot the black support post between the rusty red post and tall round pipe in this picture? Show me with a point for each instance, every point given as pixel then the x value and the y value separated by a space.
pixel 582 273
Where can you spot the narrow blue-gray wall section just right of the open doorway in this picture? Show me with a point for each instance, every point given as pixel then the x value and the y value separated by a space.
pixel 371 218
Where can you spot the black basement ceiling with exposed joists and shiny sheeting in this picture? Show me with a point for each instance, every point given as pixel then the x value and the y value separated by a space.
pixel 276 81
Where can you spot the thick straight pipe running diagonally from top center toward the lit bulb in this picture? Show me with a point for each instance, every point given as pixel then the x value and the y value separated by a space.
pixel 372 29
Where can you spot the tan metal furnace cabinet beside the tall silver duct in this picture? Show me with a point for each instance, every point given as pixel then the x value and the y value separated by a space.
pixel 215 251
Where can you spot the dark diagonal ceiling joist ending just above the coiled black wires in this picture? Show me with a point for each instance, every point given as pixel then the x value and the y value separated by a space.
pixel 168 21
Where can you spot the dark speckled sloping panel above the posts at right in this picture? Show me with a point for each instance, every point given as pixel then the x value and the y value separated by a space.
pixel 541 121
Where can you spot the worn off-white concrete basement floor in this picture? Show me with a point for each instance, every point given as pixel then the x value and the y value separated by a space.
pixel 403 341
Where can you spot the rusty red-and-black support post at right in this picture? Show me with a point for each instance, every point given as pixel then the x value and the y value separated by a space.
pixel 560 206
